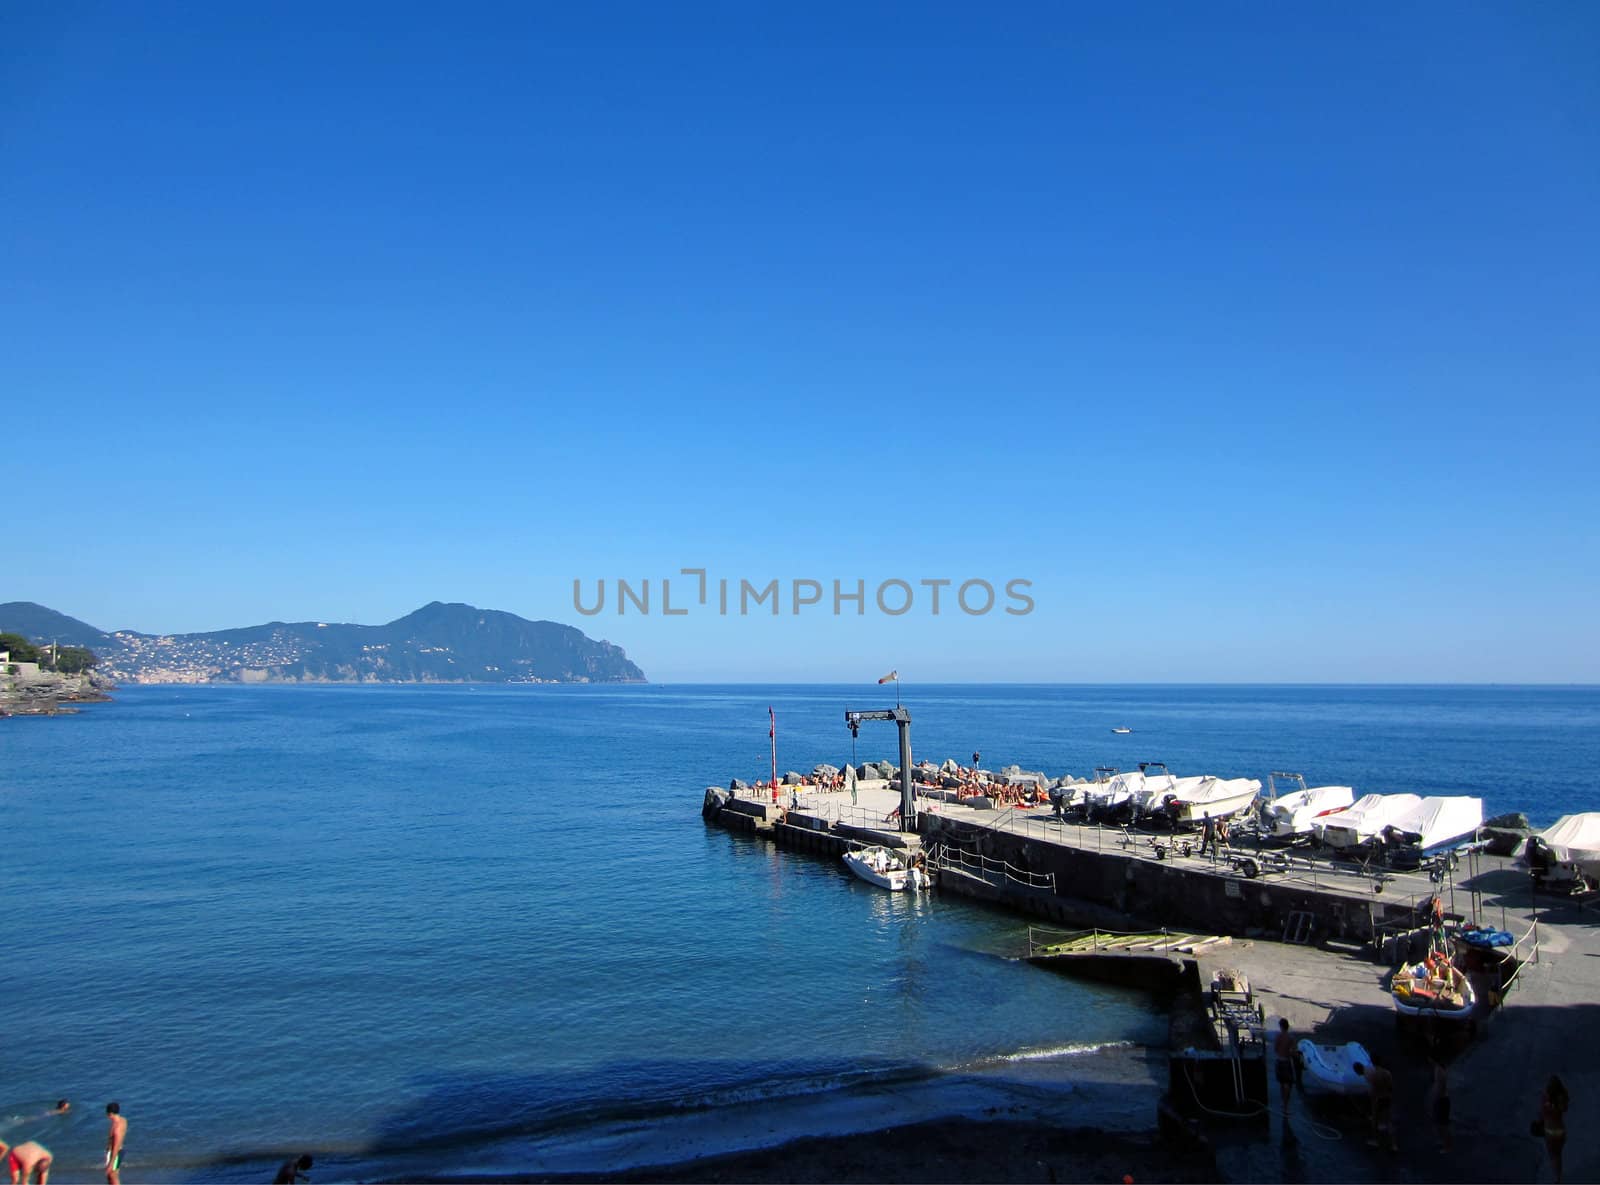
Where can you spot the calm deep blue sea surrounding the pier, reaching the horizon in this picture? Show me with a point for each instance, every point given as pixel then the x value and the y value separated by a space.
pixel 470 930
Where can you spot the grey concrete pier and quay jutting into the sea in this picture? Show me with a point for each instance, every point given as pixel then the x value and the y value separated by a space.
pixel 1330 981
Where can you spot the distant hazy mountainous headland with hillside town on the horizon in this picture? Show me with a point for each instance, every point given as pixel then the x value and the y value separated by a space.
pixel 439 644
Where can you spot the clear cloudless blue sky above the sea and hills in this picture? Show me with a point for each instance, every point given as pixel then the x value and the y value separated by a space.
pixel 1262 338
